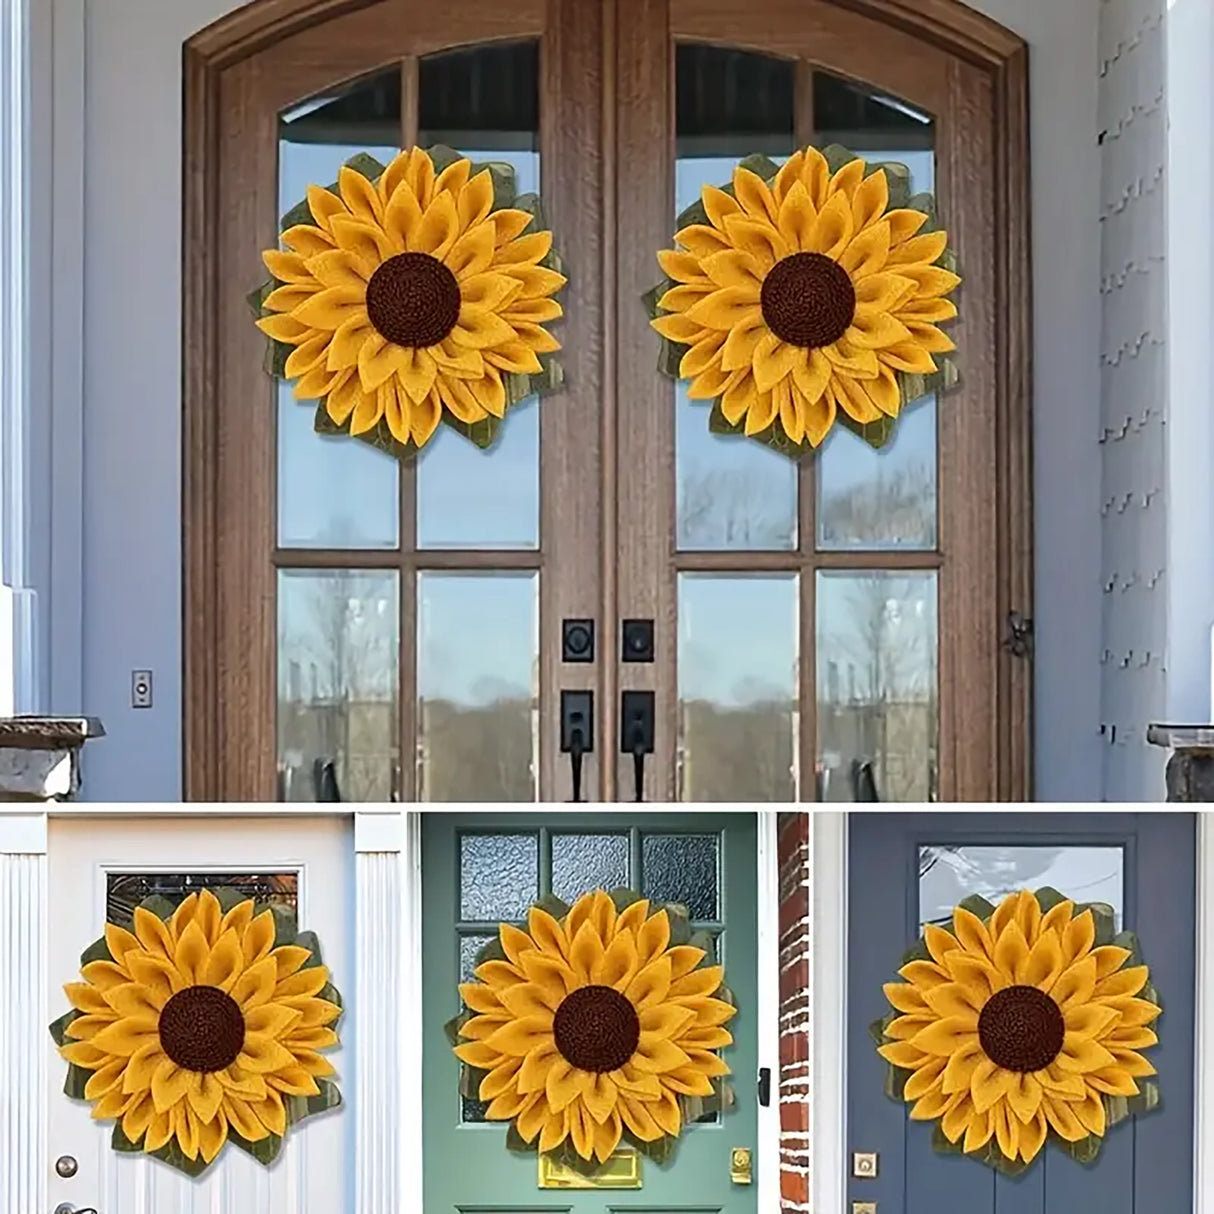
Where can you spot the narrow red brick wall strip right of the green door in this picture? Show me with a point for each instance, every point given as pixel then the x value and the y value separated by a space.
pixel 795 1012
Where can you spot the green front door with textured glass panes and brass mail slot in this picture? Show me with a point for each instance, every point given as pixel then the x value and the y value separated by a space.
pixel 480 871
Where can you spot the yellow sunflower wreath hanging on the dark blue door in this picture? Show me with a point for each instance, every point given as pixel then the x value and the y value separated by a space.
pixel 1022 1026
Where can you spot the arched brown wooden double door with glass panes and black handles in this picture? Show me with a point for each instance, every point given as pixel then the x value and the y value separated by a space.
pixel 371 629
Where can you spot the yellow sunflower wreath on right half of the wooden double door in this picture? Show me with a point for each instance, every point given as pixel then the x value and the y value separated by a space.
pixel 808 294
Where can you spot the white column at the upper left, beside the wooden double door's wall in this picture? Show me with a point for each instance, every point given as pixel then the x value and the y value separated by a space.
pixel 18 602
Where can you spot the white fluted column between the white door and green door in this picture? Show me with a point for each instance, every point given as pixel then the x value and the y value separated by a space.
pixel 388 1012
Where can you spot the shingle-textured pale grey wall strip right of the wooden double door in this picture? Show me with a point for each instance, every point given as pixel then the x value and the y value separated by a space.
pixel 1134 390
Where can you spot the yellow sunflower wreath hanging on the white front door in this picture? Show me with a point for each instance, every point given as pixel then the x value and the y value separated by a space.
pixel 201 1028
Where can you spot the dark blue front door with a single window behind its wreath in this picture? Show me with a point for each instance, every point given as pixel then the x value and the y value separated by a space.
pixel 907 870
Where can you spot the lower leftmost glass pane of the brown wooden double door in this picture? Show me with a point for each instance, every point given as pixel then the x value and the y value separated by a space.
pixel 338 679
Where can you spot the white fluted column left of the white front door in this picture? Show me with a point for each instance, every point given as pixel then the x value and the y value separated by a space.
pixel 26 1045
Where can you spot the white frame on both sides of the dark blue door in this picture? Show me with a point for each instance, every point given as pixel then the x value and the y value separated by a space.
pixel 829 1022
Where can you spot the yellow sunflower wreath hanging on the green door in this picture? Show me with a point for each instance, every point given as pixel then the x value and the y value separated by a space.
pixel 597 1025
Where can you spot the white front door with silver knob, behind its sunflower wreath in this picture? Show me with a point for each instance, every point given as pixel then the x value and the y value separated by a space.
pixel 99 871
